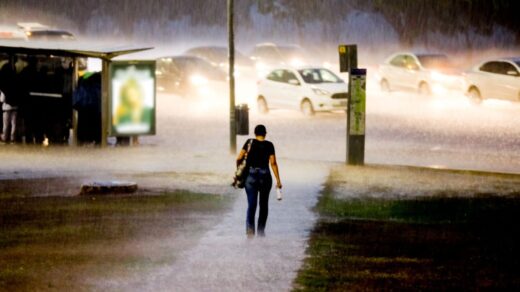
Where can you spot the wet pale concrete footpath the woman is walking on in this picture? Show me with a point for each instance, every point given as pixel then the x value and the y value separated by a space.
pixel 226 260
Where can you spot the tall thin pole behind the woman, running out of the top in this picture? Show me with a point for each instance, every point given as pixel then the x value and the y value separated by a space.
pixel 231 39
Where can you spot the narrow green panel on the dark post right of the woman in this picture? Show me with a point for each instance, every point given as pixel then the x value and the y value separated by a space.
pixel 357 104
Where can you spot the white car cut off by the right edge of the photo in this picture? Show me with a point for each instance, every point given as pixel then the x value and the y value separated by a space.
pixel 498 79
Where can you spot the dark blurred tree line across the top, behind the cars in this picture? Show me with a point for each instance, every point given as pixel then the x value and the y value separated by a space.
pixel 410 18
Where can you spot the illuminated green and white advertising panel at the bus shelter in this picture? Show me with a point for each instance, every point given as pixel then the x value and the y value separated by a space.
pixel 132 98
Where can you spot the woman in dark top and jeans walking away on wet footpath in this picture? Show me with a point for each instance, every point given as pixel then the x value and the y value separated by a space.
pixel 260 153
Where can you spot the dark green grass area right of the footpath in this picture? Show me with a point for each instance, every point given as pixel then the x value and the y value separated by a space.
pixel 431 244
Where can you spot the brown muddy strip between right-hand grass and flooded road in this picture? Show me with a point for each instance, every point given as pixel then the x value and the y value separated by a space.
pixel 412 182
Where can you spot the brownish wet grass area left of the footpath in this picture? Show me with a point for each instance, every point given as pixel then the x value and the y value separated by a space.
pixel 57 242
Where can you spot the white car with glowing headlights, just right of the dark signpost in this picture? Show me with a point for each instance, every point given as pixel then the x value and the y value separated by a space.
pixel 424 73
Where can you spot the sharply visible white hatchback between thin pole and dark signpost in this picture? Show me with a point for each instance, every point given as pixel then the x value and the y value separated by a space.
pixel 307 89
